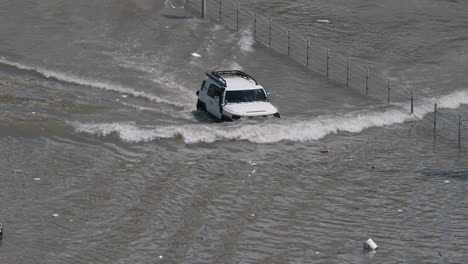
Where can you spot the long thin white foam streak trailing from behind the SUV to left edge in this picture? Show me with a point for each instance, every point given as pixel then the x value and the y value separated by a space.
pixel 89 82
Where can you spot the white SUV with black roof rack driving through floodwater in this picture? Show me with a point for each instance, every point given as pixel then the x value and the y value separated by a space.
pixel 232 95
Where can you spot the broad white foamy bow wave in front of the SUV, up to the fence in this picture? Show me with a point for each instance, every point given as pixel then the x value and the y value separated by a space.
pixel 258 133
